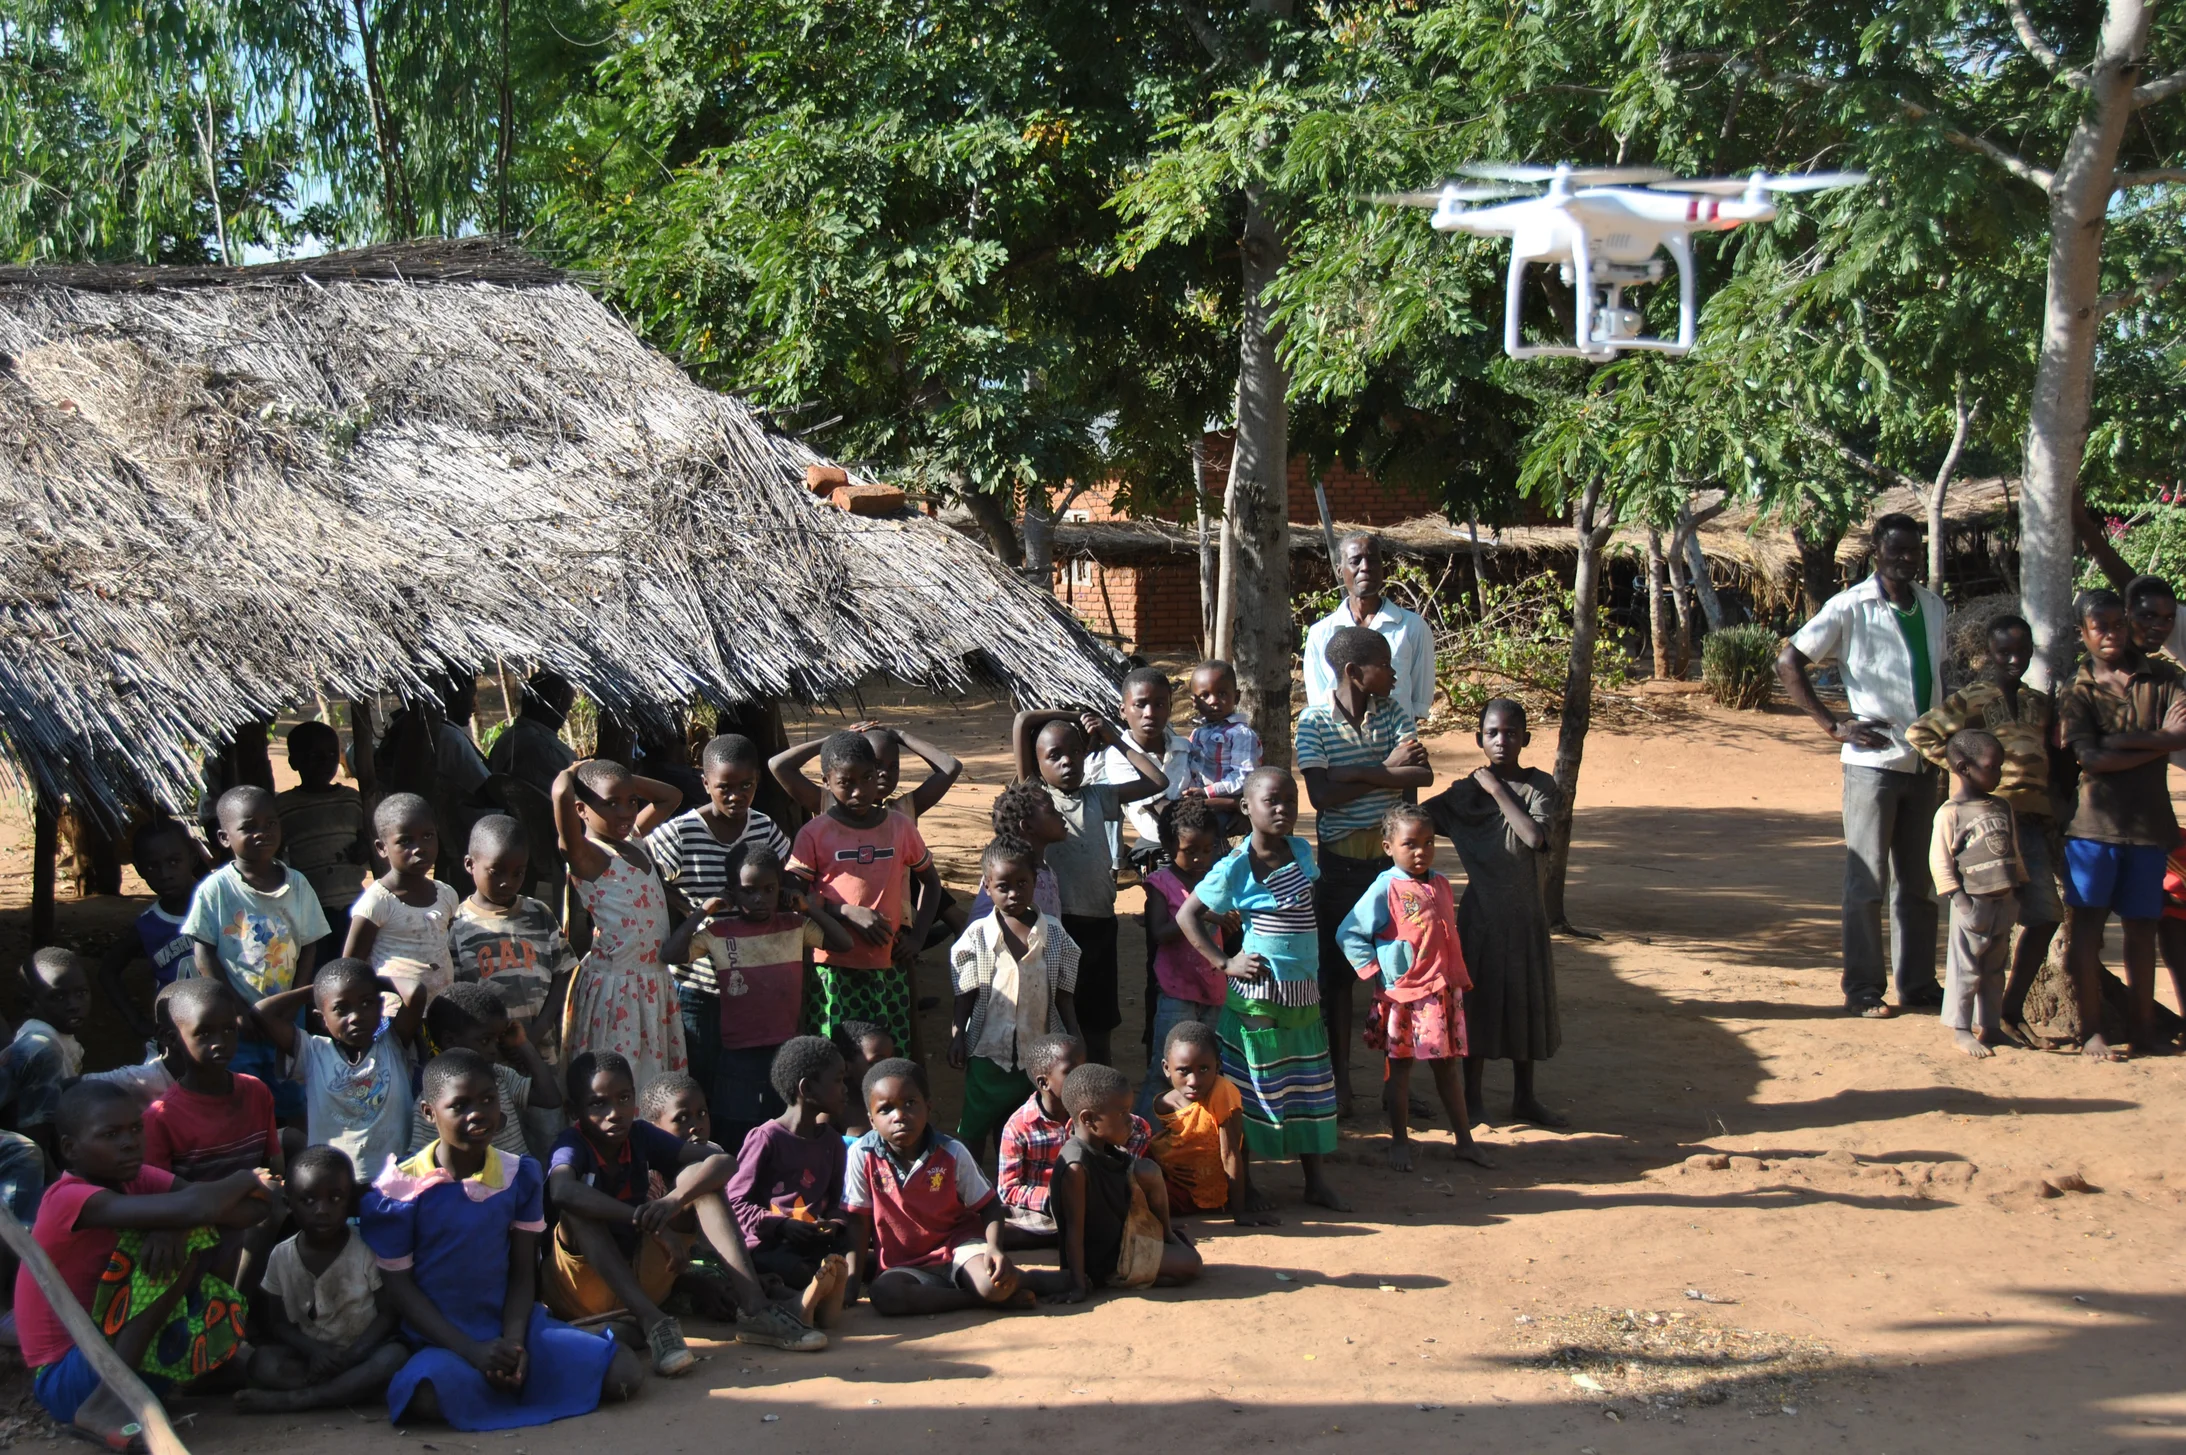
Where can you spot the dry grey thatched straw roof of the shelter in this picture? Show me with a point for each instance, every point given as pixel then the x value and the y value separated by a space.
pixel 235 488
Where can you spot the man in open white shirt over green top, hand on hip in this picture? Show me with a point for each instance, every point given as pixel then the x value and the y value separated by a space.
pixel 1888 643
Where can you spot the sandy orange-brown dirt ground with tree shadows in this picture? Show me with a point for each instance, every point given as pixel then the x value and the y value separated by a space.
pixel 1772 1227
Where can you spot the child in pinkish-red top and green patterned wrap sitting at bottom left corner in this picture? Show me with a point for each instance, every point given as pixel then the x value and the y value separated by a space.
pixel 154 1262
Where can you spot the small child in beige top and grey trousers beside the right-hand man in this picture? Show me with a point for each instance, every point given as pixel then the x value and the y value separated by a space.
pixel 1975 860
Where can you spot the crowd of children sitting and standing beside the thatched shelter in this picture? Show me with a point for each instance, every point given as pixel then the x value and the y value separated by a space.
pixel 392 1137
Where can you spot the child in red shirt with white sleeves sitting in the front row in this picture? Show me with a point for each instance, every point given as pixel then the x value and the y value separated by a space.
pixel 928 1233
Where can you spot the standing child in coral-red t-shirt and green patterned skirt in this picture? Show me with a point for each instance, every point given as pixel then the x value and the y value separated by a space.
pixel 862 860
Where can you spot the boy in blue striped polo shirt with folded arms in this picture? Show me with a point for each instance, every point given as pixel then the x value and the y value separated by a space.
pixel 1361 755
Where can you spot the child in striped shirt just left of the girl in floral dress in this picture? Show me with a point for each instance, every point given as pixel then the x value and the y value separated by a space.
pixel 508 941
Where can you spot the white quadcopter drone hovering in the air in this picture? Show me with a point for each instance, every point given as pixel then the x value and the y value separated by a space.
pixel 1606 224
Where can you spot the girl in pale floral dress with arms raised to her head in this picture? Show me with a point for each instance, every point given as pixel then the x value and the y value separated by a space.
pixel 622 999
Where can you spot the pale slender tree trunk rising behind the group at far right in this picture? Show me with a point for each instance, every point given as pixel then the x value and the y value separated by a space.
pixel 2071 316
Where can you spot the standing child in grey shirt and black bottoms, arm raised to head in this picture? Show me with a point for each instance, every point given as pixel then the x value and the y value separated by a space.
pixel 1053 748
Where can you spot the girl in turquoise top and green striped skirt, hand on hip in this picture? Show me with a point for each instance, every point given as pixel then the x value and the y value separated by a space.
pixel 1273 1039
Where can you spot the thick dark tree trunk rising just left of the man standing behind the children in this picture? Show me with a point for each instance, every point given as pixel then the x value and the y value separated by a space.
pixel 1260 493
